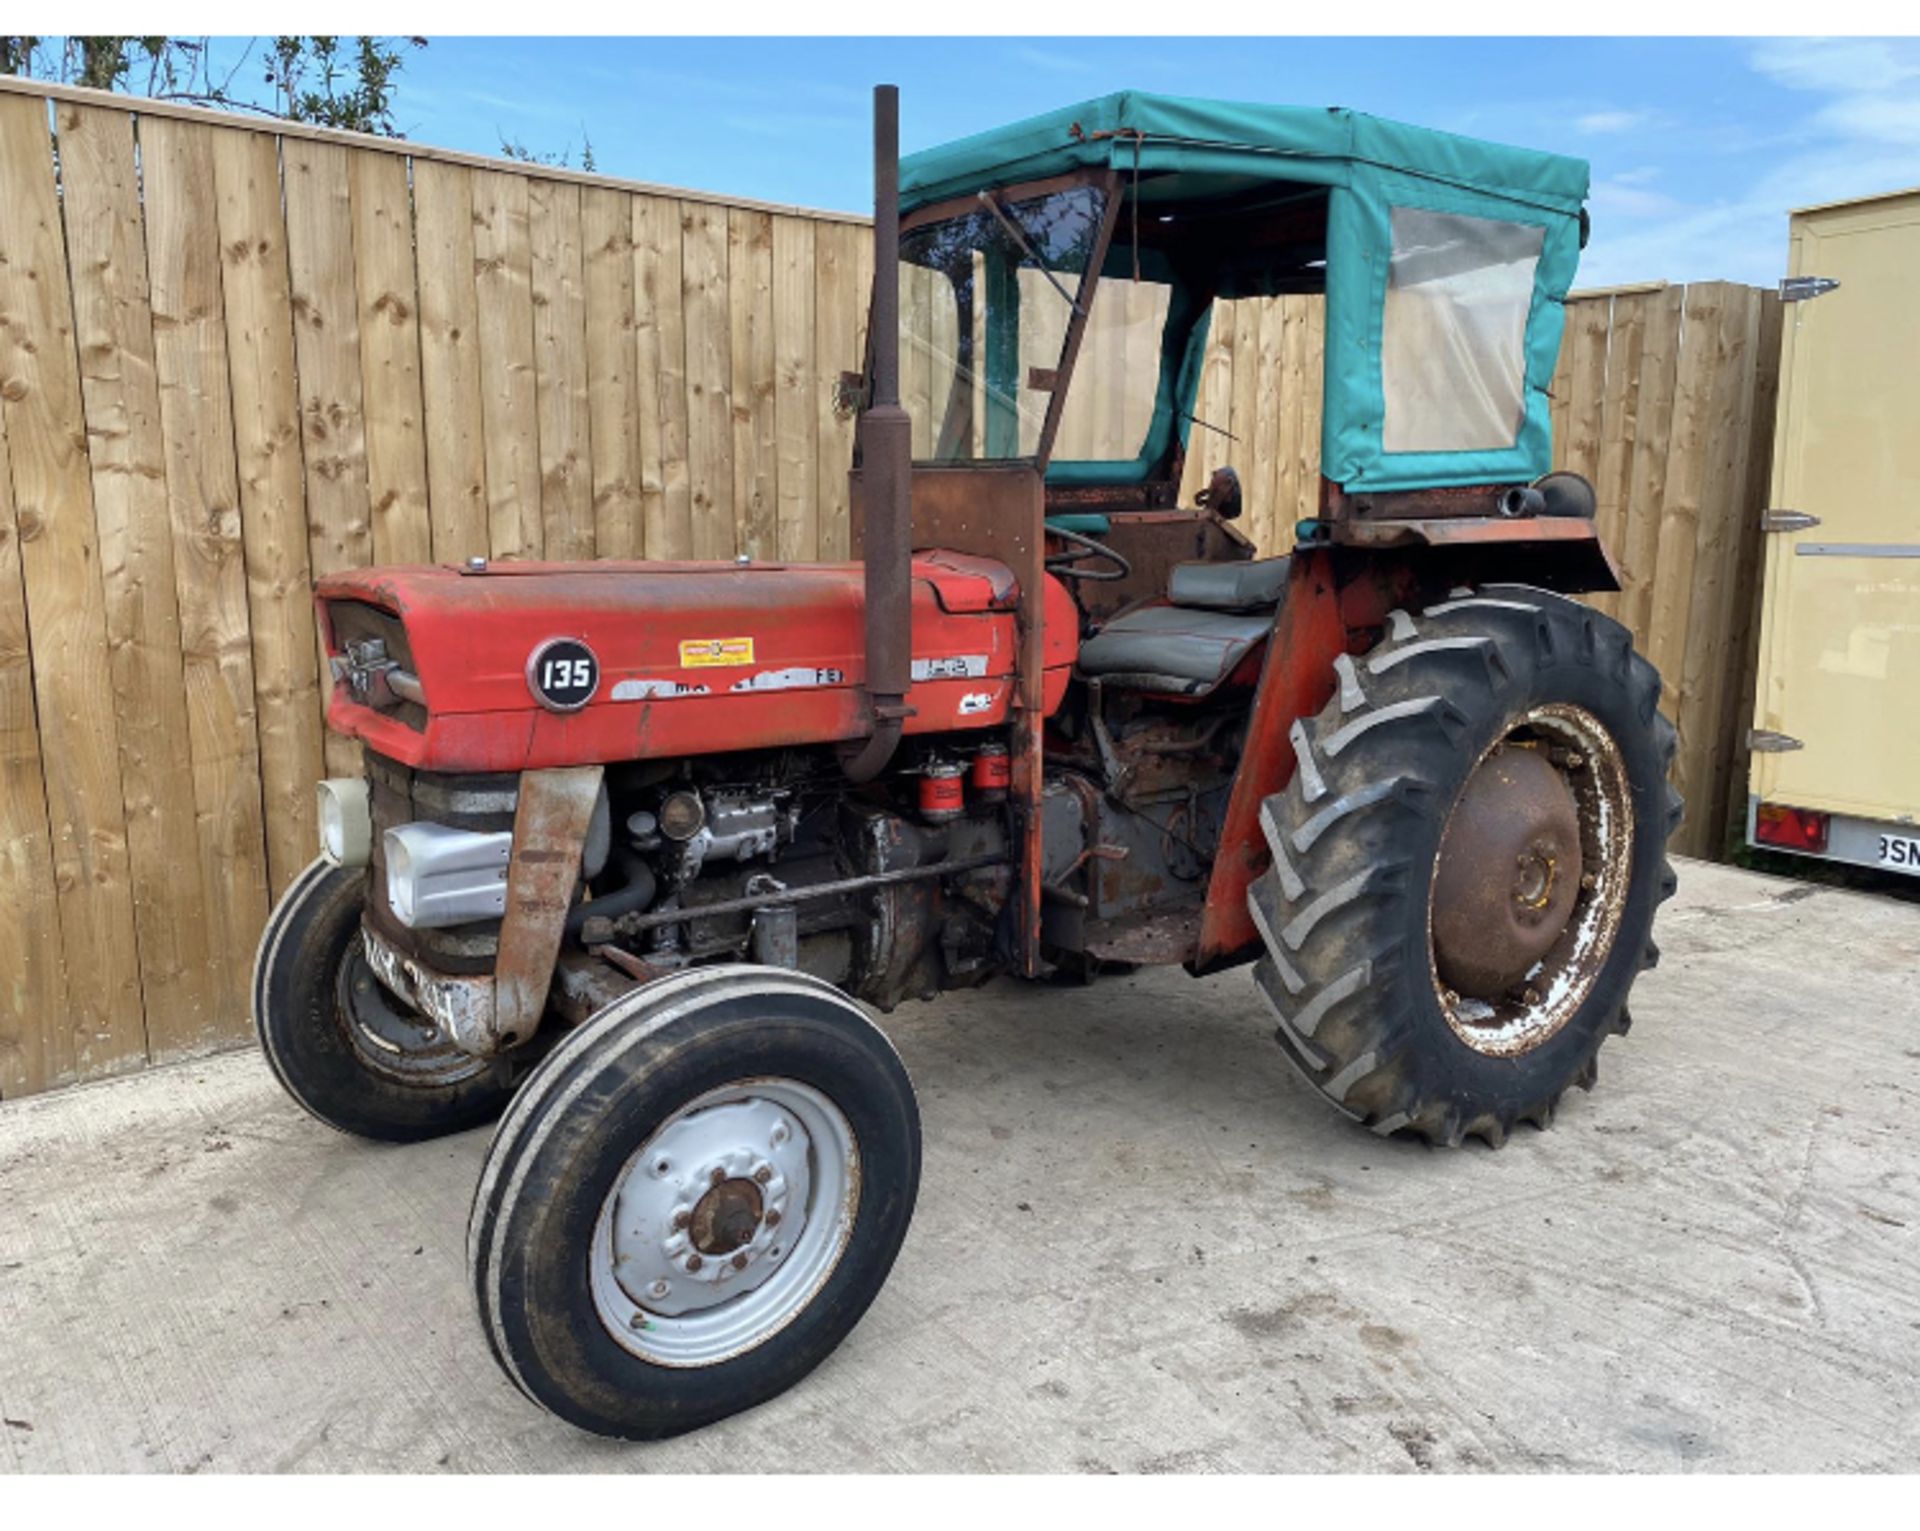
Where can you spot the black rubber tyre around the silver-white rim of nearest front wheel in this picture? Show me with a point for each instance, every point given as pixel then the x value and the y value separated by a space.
pixel 577 1130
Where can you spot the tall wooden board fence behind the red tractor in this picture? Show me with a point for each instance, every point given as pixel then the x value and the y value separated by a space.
pixel 237 358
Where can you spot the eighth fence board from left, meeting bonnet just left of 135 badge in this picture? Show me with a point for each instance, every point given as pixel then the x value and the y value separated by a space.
pixel 510 402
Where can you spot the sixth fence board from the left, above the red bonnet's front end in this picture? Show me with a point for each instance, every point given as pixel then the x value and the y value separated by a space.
pixel 391 358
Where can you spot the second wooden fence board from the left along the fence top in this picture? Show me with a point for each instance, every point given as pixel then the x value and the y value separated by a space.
pixel 114 329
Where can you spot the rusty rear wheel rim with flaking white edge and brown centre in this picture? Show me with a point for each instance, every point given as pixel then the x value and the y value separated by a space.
pixel 1516 1000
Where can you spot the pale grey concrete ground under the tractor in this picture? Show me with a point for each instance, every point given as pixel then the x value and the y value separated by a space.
pixel 1141 1246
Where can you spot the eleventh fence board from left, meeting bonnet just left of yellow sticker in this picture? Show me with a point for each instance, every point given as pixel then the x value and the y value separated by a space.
pixel 665 401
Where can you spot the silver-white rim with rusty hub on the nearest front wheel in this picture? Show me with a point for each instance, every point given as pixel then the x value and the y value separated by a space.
pixel 727 1223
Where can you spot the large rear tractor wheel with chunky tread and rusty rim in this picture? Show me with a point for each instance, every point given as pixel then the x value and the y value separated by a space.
pixel 1466 865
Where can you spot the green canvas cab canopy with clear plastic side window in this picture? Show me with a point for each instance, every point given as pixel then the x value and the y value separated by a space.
pixel 1445 264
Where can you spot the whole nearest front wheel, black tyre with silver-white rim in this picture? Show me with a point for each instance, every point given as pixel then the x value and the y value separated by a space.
pixel 694 1200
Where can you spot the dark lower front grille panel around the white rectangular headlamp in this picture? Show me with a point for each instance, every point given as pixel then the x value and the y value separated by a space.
pixel 462 802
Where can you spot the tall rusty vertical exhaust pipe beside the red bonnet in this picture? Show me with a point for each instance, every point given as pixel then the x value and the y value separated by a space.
pixel 886 468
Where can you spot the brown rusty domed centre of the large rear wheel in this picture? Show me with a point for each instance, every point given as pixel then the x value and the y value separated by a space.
pixel 1510 869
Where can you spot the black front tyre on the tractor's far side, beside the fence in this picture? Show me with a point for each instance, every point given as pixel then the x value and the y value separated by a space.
pixel 348 1052
